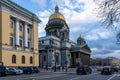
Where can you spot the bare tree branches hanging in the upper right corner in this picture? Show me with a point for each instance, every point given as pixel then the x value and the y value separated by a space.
pixel 109 12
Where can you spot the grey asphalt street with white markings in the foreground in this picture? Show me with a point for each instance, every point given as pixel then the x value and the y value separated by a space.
pixel 62 75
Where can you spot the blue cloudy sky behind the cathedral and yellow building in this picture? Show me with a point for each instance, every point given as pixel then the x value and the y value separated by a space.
pixel 81 18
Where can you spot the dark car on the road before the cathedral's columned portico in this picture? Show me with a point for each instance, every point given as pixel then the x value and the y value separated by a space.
pixel 84 70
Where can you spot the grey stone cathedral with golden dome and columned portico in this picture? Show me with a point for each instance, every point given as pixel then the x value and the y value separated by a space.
pixel 56 49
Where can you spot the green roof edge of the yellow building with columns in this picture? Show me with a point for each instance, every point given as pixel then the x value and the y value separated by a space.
pixel 17 7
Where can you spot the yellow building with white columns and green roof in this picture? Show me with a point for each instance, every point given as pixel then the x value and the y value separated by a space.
pixel 18 35
